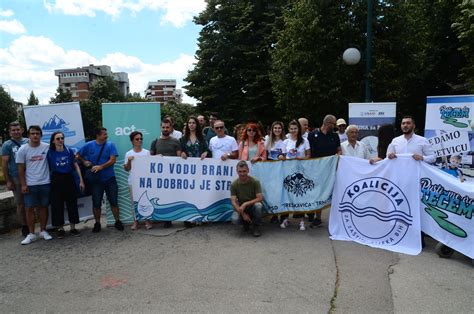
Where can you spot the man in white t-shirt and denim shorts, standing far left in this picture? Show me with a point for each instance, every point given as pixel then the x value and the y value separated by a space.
pixel 33 171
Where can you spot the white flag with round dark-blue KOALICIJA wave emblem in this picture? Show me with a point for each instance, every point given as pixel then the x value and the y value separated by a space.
pixel 377 205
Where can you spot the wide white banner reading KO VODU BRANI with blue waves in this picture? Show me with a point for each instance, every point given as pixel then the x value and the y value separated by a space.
pixel 176 189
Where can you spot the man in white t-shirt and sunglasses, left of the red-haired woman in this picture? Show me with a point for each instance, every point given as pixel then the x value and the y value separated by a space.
pixel 223 146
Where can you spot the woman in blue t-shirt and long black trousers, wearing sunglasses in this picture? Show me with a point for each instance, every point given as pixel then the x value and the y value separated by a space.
pixel 62 164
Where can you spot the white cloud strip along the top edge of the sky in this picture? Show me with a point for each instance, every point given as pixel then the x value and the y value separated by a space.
pixel 176 12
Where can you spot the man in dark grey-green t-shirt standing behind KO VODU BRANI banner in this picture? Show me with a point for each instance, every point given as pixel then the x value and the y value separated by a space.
pixel 166 145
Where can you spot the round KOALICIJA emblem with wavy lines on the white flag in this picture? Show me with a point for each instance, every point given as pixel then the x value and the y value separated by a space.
pixel 376 211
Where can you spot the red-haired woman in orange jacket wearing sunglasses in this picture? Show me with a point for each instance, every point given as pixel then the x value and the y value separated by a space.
pixel 252 147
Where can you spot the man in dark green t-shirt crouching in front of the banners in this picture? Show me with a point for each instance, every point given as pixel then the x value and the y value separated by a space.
pixel 246 196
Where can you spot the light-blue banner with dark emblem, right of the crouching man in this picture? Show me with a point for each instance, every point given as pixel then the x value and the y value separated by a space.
pixel 296 185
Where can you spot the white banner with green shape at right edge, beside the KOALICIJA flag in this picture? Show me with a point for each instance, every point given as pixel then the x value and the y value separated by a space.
pixel 446 209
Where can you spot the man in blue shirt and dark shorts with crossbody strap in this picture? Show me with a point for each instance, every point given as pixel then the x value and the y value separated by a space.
pixel 99 156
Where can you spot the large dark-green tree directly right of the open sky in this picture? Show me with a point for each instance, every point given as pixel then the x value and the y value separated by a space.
pixel 232 72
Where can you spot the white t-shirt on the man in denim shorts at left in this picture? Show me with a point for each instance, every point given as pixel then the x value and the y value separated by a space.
pixel 36 163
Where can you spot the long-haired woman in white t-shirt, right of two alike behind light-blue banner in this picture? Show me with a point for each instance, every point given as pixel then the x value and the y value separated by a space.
pixel 296 147
